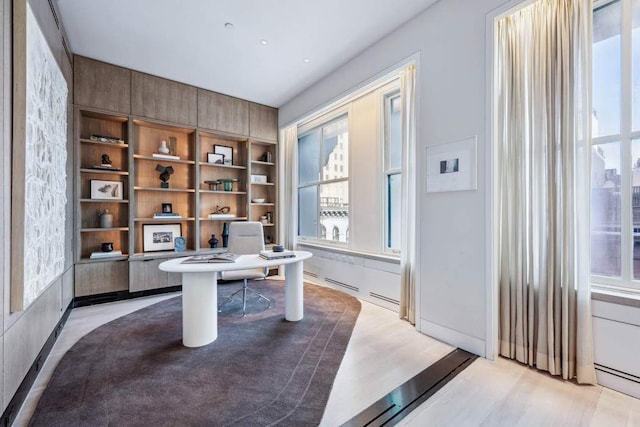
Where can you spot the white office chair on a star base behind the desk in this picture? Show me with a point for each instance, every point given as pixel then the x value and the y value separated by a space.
pixel 245 238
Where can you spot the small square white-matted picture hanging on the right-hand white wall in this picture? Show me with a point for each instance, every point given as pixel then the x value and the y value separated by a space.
pixel 451 166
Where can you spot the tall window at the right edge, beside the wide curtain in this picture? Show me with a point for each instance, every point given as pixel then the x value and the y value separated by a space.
pixel 615 183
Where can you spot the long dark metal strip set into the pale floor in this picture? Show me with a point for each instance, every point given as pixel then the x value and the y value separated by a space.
pixel 396 405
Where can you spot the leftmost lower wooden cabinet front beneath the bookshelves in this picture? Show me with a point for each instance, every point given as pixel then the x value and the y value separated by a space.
pixel 101 277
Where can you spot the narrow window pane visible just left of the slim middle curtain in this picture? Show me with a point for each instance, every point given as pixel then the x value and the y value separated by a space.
pixel 392 169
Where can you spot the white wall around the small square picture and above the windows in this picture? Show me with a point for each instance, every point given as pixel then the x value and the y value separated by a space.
pixel 449 39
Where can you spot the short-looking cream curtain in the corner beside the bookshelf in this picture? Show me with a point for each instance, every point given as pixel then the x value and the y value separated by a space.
pixel 290 187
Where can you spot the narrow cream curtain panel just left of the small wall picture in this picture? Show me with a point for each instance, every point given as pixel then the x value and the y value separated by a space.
pixel 408 190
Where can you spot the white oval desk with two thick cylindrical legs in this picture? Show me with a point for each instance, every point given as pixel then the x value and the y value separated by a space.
pixel 200 292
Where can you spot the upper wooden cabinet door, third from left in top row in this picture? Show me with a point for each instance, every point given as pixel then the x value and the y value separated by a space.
pixel 224 113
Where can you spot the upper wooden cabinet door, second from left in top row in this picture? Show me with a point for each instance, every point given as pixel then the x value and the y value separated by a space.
pixel 162 99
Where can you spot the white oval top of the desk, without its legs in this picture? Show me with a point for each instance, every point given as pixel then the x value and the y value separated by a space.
pixel 243 262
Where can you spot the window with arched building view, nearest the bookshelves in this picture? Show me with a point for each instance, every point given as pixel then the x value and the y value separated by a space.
pixel 323 182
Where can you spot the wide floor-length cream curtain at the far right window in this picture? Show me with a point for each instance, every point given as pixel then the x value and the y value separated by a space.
pixel 543 74
